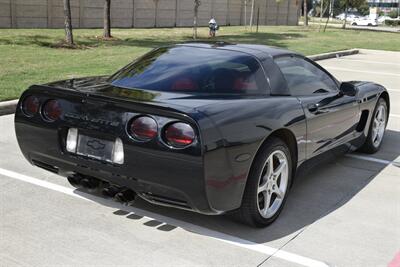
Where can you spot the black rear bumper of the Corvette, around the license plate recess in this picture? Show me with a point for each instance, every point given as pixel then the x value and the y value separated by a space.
pixel 160 177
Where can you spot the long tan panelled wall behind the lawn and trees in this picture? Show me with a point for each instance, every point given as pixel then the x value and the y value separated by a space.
pixel 144 13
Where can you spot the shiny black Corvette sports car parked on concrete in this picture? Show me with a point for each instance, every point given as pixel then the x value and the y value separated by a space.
pixel 210 128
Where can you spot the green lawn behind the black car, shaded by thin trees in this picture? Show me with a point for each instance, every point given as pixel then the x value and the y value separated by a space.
pixel 34 57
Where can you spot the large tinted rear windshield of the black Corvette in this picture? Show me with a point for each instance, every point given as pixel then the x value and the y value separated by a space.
pixel 193 70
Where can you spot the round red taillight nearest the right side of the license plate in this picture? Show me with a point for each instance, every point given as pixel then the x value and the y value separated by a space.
pixel 144 128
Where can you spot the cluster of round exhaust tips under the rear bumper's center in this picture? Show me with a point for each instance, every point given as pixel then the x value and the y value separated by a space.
pixel 119 194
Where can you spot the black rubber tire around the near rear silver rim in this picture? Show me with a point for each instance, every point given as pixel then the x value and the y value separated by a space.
pixel 249 212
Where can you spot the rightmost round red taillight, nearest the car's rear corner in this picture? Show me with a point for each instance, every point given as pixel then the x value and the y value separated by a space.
pixel 179 134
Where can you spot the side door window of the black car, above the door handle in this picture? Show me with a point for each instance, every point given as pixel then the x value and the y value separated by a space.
pixel 304 78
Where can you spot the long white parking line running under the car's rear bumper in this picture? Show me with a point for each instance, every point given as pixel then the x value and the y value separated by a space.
pixel 226 238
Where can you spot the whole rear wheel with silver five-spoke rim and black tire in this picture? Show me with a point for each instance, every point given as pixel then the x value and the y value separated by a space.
pixel 267 184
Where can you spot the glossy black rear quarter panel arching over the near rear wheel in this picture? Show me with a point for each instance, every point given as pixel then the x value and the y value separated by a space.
pixel 233 136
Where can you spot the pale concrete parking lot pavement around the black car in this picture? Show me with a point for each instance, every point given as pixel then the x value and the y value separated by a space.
pixel 343 212
